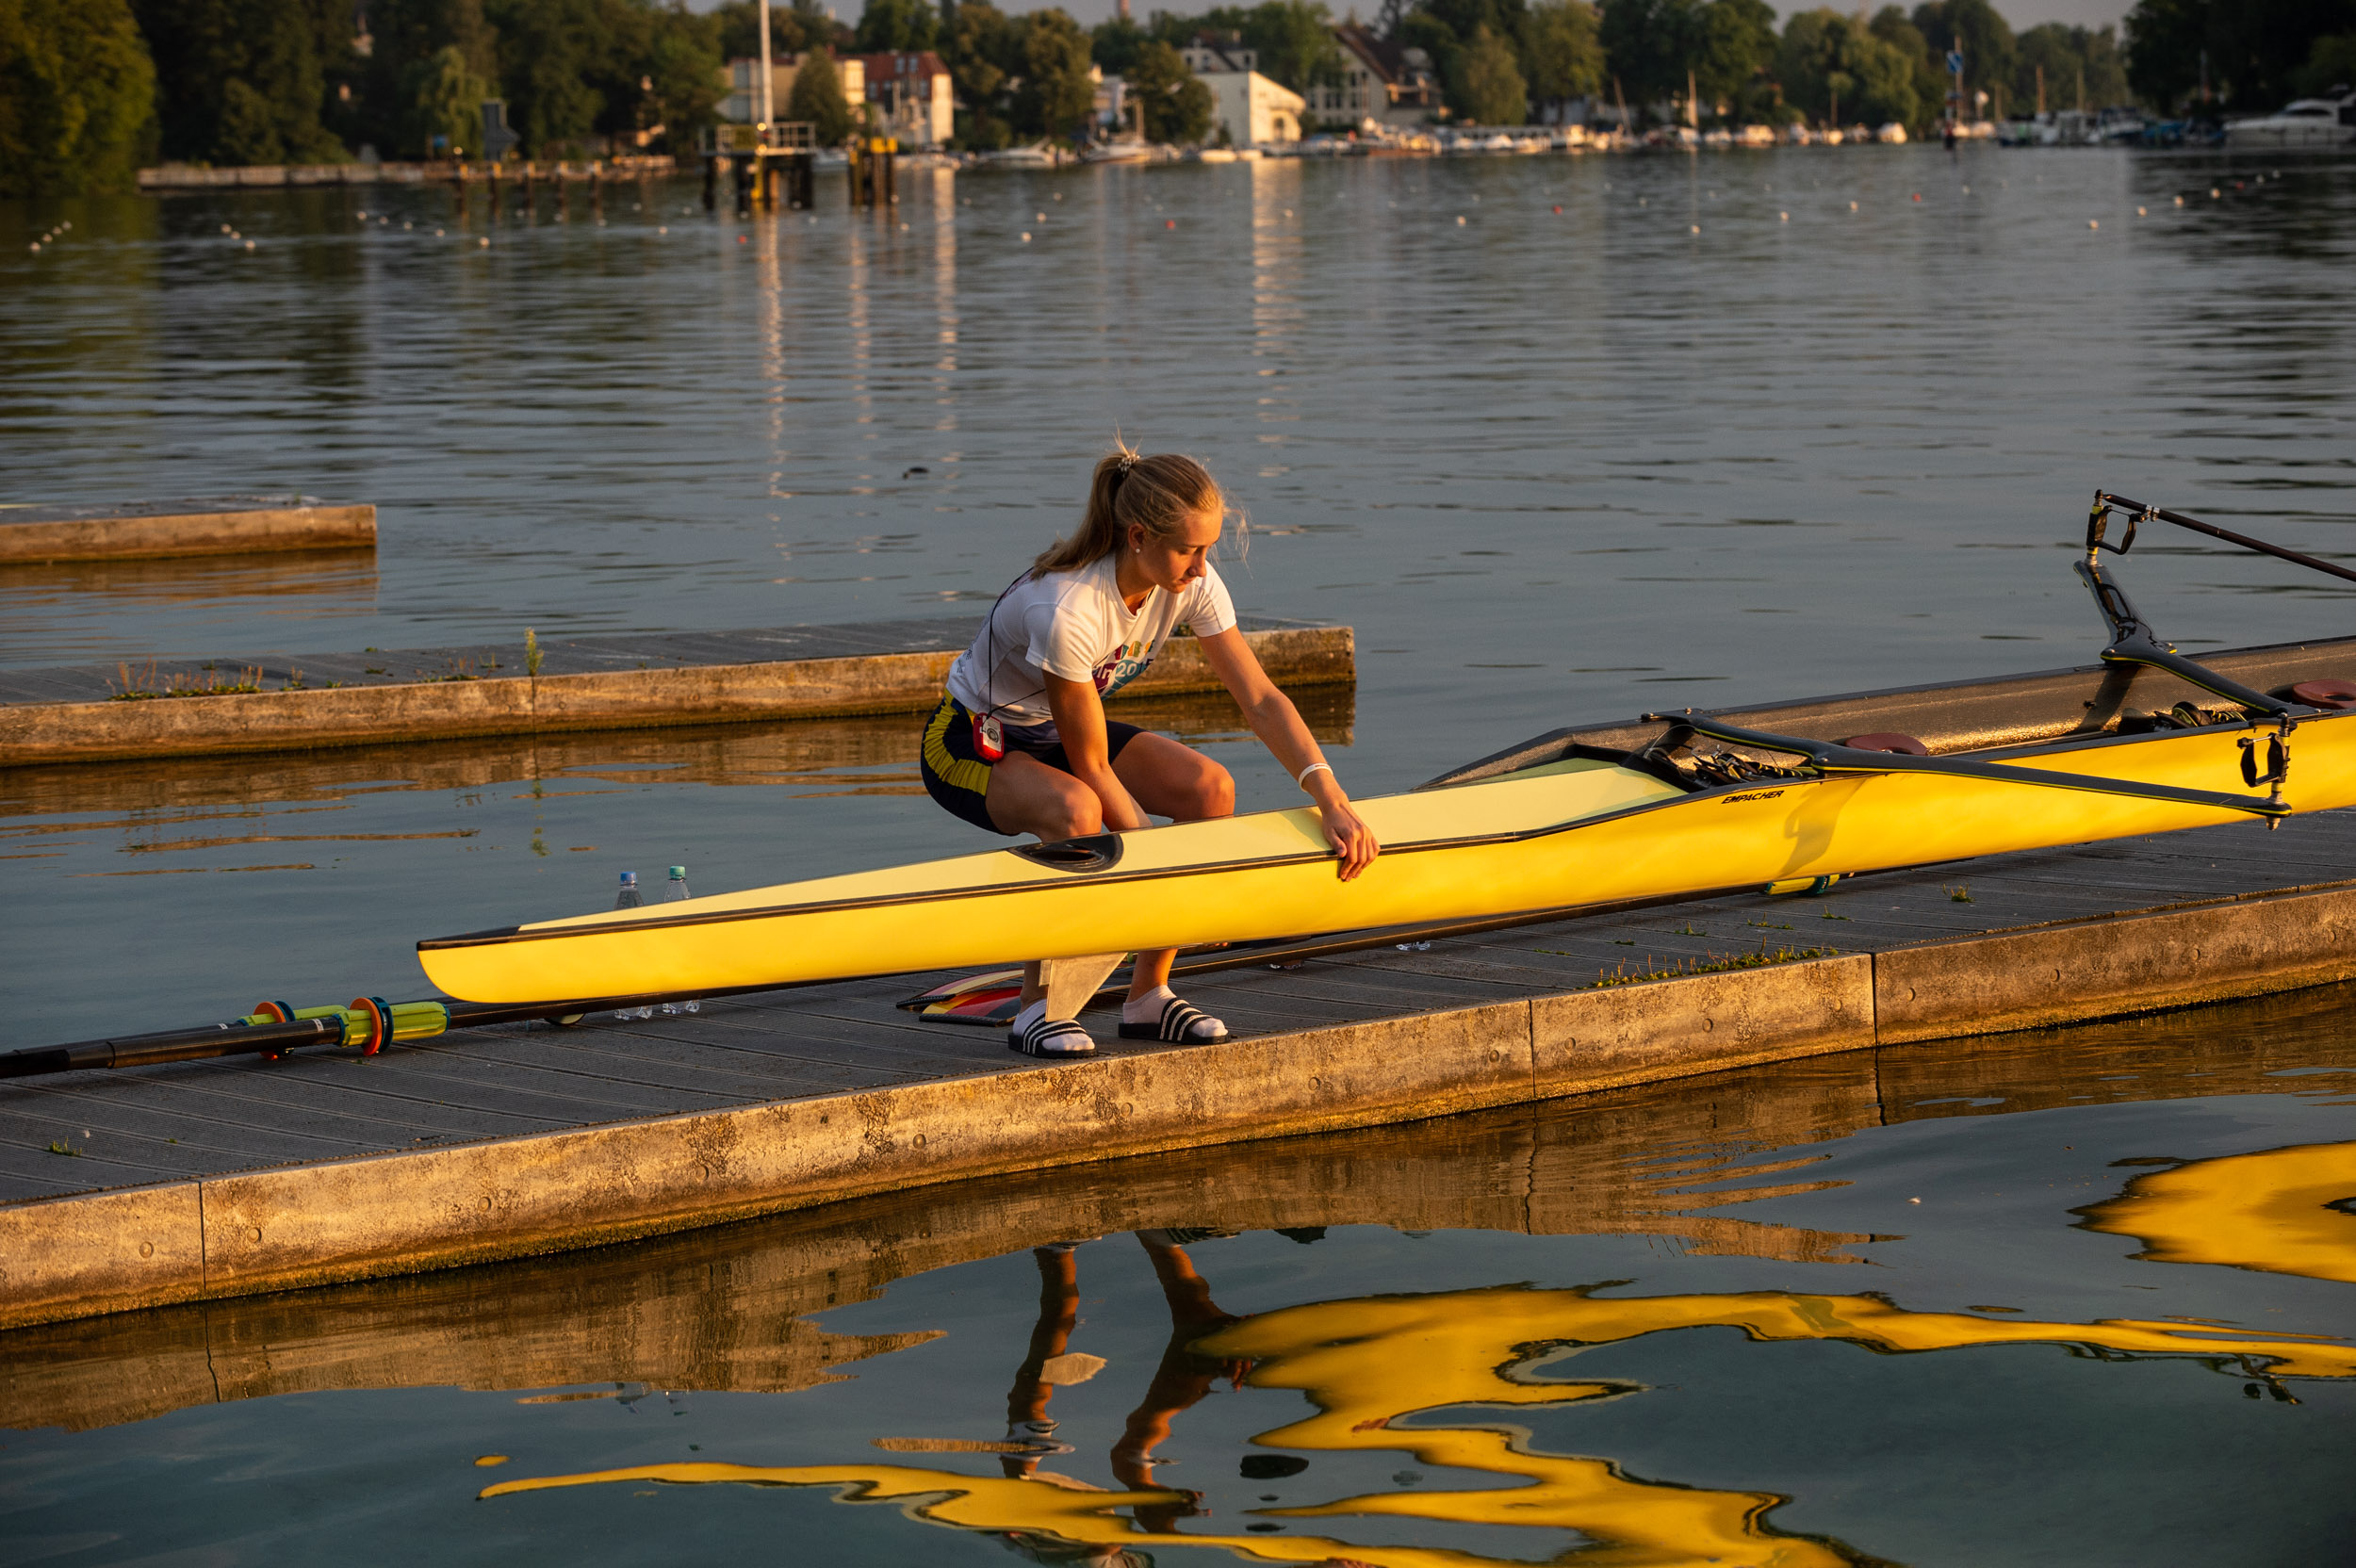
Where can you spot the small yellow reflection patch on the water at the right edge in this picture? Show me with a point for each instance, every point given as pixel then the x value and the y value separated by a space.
pixel 2279 1211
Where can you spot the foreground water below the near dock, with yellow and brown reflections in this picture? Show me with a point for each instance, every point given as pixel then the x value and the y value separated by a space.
pixel 2067 1298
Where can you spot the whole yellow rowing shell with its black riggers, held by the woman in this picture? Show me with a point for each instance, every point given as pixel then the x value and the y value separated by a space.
pixel 1653 809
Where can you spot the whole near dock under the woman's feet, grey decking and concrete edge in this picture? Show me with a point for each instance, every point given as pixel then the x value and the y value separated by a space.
pixel 232 1178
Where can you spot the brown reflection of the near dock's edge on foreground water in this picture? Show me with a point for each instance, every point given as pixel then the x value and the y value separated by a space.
pixel 732 1308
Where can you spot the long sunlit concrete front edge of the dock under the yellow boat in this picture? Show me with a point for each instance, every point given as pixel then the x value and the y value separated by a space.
pixel 432 1209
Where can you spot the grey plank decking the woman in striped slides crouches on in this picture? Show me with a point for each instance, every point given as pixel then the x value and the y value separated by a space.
pixel 517 1082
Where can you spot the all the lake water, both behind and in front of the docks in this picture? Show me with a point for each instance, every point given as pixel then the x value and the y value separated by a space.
pixel 1563 439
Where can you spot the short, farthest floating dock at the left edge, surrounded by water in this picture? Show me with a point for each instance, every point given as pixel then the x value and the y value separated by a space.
pixel 211 526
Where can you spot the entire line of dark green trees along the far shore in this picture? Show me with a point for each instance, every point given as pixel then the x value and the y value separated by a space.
pixel 91 91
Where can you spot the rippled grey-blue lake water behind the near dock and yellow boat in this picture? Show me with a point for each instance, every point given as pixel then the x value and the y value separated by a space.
pixel 1563 439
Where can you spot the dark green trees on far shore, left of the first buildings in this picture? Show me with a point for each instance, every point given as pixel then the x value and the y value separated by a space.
pixel 95 88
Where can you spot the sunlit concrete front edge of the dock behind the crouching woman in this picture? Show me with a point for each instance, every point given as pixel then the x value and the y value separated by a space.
pixel 600 700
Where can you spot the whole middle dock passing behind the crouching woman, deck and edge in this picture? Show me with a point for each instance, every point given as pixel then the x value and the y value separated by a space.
pixel 279 703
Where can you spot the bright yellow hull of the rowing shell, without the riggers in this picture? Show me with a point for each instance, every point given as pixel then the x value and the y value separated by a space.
pixel 1561 835
